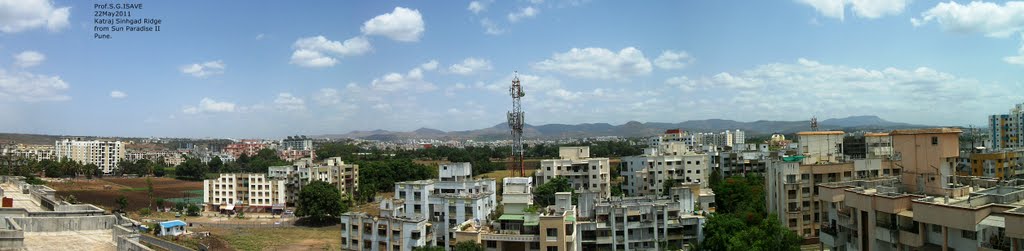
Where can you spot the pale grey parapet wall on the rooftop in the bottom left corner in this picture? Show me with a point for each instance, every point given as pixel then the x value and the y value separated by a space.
pixel 67 224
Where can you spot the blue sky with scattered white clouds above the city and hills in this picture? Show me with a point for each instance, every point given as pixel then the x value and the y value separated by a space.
pixel 238 69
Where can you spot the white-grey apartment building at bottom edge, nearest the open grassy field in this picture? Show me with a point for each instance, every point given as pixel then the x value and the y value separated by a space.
pixel 392 230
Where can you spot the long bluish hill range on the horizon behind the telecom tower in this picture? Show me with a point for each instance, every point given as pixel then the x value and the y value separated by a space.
pixel 637 130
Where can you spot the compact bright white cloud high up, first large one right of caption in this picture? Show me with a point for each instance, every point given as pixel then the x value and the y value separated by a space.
pixel 401 25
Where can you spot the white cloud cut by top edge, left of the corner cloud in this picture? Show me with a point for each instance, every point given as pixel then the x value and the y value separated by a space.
pixel 864 9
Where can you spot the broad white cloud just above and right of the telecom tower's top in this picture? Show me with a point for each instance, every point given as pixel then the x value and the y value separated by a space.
pixel 599 64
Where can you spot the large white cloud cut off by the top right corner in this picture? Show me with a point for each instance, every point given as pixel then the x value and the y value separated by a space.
pixel 991 19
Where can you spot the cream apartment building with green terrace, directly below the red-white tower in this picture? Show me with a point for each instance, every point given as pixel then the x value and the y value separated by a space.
pixel 552 228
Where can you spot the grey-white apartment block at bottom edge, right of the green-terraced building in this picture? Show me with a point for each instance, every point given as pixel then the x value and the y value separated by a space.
pixel 669 223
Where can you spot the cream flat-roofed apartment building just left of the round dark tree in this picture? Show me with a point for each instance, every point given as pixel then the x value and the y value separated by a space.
pixel 249 192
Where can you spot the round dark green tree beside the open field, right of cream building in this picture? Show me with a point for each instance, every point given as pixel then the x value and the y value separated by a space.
pixel 320 201
